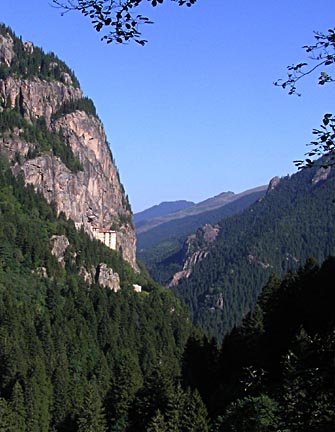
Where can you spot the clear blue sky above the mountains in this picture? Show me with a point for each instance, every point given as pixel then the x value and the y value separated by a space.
pixel 194 112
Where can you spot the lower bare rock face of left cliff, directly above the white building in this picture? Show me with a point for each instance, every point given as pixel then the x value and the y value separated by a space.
pixel 93 196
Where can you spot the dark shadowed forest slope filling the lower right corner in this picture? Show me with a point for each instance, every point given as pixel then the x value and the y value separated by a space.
pixel 274 372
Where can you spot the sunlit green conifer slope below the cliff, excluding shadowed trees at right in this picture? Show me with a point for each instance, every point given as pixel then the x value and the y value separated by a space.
pixel 72 351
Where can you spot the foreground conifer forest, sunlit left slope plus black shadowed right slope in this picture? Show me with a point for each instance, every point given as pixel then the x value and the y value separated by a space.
pixel 76 357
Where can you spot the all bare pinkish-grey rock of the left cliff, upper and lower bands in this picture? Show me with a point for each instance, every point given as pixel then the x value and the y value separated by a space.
pixel 92 196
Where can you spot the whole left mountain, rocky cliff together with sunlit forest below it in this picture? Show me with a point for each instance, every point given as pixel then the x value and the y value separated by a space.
pixel 80 350
